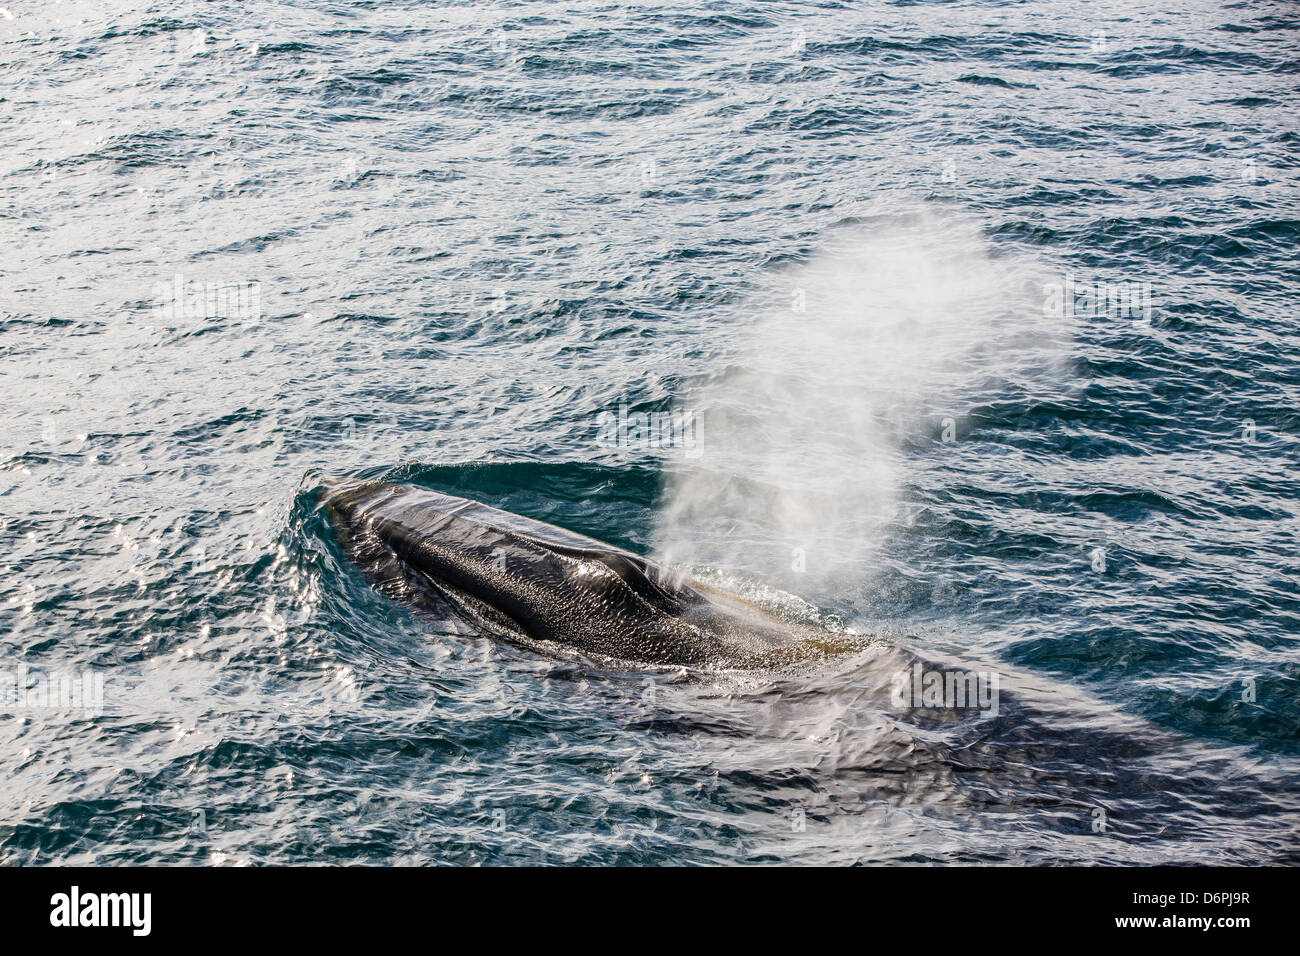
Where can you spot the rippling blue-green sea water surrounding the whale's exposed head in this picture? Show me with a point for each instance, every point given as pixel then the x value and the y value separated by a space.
pixel 851 254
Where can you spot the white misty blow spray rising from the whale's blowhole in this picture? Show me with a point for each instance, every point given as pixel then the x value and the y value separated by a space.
pixel 877 340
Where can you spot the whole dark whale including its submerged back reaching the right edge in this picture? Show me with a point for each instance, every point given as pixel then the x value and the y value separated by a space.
pixel 812 712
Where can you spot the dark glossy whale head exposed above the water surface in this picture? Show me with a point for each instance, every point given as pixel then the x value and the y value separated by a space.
pixel 551 590
